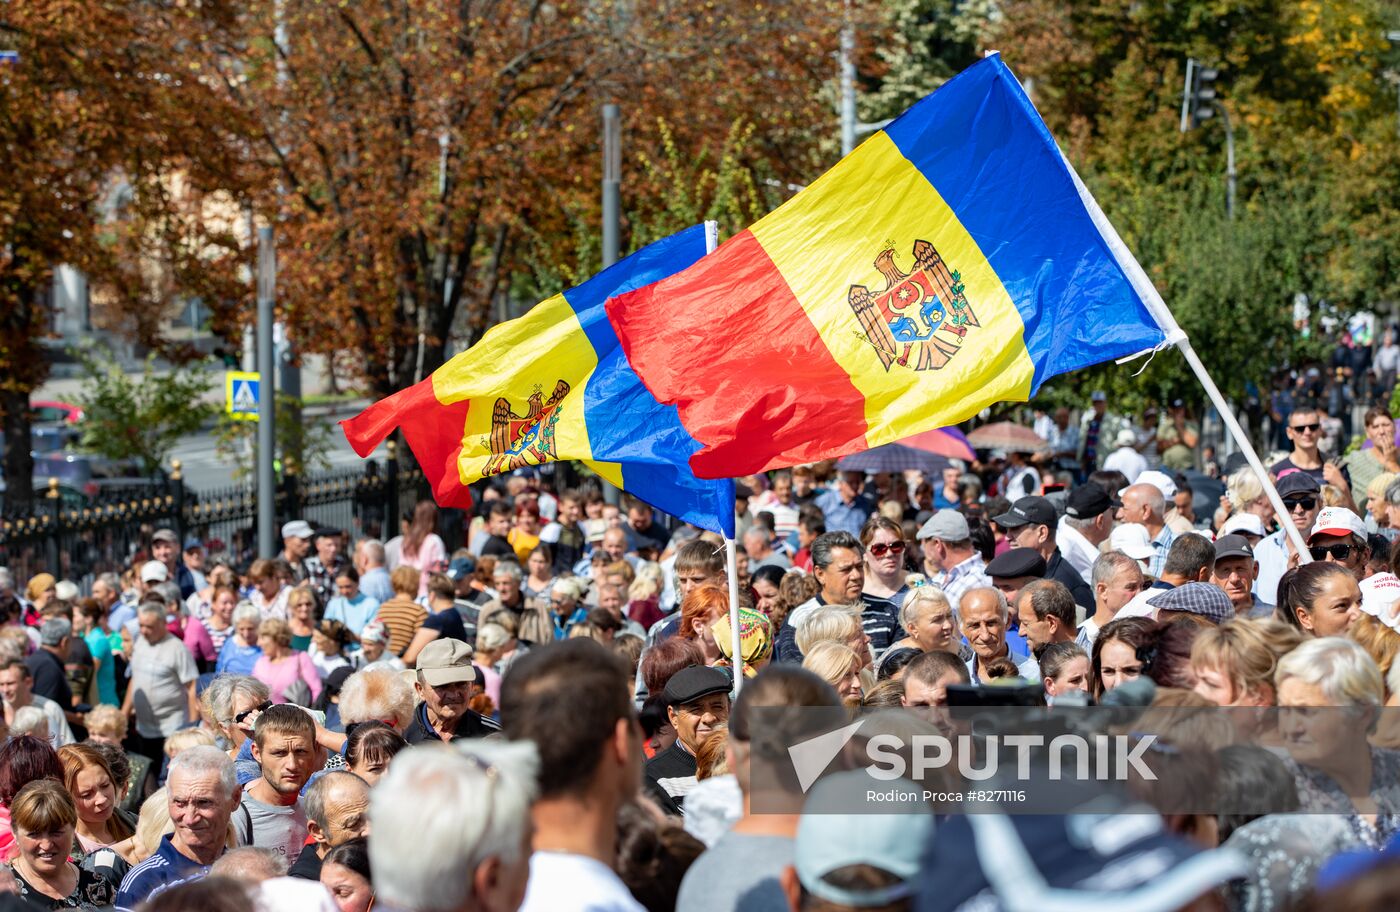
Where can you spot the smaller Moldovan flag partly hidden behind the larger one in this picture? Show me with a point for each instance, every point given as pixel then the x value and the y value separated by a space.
pixel 549 386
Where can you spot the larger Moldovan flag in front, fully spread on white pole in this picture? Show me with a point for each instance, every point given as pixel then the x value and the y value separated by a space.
pixel 953 261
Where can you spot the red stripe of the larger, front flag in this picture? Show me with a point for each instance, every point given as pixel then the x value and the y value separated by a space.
pixel 703 340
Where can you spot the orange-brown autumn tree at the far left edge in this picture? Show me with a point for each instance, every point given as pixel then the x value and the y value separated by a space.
pixel 96 127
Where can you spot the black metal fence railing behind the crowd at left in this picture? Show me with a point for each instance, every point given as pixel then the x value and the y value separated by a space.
pixel 76 539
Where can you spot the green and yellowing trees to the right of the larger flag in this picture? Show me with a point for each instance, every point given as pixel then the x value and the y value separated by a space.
pixel 1305 85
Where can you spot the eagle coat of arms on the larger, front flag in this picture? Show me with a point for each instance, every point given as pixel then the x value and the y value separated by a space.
pixel 920 319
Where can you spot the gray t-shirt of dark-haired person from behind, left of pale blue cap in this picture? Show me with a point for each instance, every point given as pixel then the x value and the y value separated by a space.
pixel 738 873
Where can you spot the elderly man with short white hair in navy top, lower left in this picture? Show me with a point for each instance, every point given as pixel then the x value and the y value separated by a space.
pixel 202 792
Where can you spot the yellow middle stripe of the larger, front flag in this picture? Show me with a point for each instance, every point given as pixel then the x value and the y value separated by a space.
pixel 897 207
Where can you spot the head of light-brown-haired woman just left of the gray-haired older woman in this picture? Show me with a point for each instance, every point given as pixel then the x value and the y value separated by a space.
pixel 1235 663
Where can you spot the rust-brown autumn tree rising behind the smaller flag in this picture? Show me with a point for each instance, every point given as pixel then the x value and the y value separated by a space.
pixel 414 156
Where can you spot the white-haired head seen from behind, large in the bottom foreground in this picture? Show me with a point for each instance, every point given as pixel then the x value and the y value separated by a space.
pixel 453 829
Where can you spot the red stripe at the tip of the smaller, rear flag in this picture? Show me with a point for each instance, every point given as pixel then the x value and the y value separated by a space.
pixel 433 432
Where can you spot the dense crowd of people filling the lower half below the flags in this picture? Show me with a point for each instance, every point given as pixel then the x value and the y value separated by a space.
pixel 549 717
